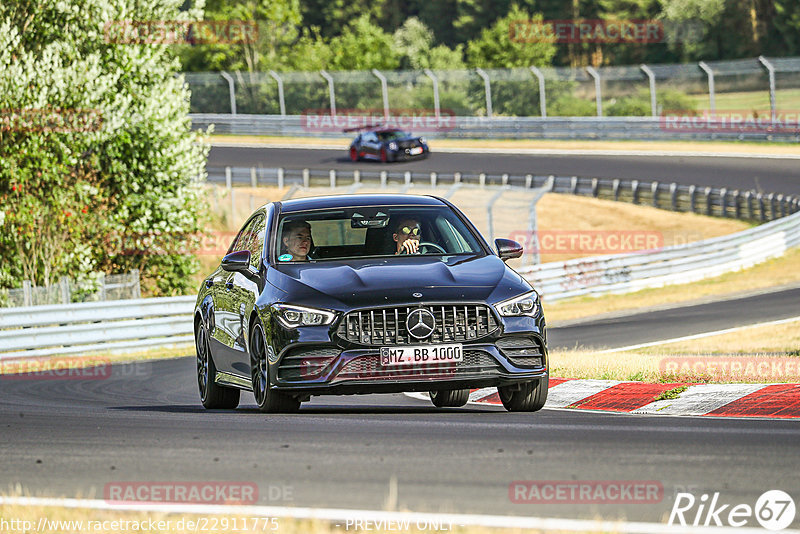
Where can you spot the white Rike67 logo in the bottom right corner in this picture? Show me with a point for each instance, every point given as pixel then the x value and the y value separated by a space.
pixel 774 510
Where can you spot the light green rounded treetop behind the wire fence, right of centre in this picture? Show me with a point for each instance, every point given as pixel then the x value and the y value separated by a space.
pixel 495 49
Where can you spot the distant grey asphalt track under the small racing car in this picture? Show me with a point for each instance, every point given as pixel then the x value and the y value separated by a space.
pixel 768 175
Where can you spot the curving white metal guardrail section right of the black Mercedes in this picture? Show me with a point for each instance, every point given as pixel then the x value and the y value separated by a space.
pixel 679 264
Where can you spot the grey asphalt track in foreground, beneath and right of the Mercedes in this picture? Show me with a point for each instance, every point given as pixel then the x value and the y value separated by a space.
pixel 145 423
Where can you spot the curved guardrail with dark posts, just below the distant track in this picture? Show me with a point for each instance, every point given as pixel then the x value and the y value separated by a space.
pixel 732 203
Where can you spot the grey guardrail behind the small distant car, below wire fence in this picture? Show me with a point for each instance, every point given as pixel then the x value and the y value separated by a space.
pixel 650 128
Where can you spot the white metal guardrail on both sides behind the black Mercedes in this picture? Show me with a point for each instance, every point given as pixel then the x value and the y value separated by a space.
pixel 145 323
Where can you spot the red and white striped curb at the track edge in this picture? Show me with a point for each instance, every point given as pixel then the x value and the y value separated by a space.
pixel 720 400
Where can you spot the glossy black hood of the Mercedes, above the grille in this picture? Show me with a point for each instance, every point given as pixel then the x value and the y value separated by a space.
pixel 388 281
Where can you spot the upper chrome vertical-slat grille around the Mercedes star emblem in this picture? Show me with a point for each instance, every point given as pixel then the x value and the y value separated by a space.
pixel 454 323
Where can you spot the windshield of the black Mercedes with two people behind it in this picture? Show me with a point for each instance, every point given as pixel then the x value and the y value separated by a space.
pixel 349 233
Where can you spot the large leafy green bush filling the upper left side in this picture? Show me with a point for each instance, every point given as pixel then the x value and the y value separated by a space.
pixel 70 190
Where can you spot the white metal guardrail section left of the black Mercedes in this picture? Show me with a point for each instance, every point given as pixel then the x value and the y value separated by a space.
pixel 95 326
